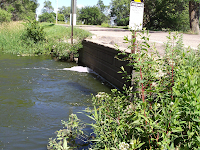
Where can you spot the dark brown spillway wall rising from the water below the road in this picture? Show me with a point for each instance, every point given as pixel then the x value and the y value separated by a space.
pixel 101 58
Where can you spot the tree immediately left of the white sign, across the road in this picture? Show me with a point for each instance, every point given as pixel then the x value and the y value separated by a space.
pixel 121 10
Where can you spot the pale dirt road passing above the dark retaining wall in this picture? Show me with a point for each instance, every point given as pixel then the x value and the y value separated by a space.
pixel 112 36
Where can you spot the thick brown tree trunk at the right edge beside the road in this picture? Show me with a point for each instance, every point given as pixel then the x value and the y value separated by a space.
pixel 194 16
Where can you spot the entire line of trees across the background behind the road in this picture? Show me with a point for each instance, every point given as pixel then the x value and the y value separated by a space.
pixel 158 14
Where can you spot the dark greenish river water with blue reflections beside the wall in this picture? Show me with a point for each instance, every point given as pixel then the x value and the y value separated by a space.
pixel 36 93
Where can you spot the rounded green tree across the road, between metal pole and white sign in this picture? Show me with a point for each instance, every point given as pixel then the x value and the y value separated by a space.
pixel 90 15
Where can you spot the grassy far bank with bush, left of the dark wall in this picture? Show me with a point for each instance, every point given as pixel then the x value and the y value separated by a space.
pixel 32 38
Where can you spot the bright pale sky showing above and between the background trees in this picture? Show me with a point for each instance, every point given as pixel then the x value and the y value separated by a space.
pixel 80 3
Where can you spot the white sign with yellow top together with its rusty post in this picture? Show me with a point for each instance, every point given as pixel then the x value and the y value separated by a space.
pixel 136 19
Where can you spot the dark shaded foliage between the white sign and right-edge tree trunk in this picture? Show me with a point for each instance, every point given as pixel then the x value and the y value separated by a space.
pixel 169 14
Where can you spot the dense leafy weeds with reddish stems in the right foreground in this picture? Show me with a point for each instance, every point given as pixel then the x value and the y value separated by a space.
pixel 162 111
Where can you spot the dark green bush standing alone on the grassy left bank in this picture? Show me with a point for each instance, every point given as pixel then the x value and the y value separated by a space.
pixel 34 32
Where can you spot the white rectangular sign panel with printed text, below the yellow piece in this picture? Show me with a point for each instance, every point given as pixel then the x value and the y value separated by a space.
pixel 136 15
